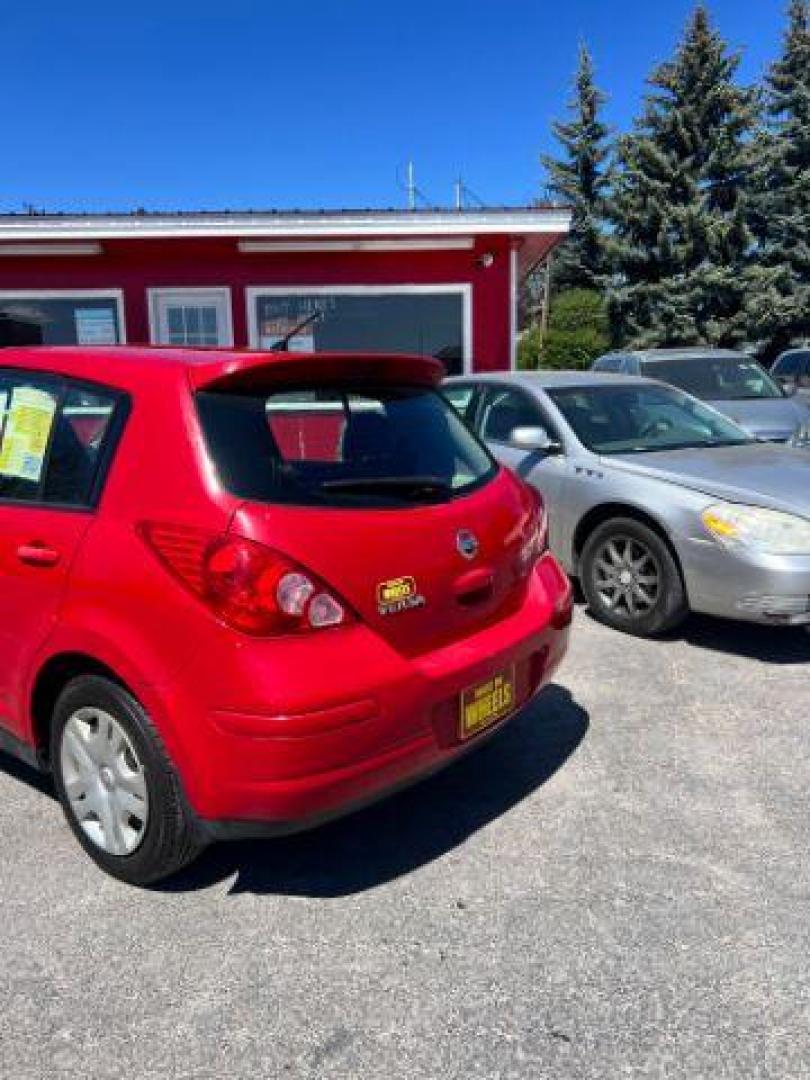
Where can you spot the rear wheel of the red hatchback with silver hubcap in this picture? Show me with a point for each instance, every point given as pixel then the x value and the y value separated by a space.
pixel 118 789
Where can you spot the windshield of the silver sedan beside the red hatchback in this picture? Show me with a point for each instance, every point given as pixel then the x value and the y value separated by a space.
pixel 643 418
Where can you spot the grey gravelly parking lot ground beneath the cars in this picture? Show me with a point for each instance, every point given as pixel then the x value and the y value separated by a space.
pixel 617 886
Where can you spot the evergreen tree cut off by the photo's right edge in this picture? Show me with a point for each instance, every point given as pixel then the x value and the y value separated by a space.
pixel 781 204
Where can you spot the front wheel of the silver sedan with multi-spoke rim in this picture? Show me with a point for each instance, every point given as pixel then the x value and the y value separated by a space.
pixel 638 609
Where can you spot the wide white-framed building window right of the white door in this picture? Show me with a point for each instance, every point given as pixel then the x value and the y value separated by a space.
pixel 428 320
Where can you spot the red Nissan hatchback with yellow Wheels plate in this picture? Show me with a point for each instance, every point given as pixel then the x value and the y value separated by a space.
pixel 244 593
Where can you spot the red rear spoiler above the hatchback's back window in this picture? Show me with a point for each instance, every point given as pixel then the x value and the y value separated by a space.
pixel 264 371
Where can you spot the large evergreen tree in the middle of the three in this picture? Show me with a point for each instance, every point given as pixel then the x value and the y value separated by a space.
pixel 681 239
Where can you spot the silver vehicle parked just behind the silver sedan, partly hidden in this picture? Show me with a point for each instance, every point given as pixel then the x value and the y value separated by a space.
pixel 732 382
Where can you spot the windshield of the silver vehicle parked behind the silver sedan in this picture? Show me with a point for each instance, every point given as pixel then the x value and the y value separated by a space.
pixel 714 379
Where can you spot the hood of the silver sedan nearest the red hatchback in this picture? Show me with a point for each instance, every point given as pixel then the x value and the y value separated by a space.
pixel 759 474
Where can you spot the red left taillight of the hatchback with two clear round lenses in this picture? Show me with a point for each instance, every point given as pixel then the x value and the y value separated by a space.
pixel 250 587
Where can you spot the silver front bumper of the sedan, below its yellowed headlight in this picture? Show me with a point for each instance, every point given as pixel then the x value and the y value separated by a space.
pixel 765 589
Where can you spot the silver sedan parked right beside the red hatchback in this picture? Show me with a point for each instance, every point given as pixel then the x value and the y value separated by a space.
pixel 657 503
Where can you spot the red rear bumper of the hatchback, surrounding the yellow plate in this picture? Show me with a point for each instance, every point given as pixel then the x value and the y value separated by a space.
pixel 375 723
